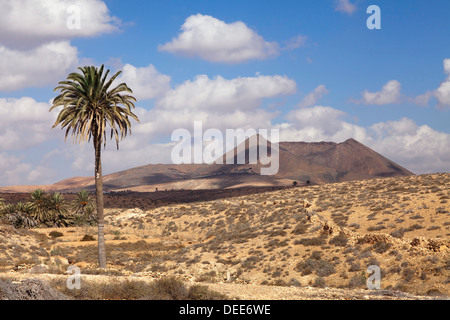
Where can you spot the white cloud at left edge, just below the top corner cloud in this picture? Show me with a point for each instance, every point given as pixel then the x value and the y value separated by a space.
pixel 37 67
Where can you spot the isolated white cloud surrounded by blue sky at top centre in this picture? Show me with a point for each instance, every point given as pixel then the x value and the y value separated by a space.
pixel 214 40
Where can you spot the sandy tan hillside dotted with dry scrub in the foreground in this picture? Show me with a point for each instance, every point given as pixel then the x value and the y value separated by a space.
pixel 322 236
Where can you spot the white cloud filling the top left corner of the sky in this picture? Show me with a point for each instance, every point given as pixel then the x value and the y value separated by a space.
pixel 30 23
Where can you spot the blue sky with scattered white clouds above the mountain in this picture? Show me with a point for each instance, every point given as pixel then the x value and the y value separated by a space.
pixel 314 70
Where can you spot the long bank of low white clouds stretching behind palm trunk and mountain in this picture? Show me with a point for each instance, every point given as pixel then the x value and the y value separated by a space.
pixel 218 103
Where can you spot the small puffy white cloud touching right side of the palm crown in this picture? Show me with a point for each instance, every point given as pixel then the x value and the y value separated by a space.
pixel 146 82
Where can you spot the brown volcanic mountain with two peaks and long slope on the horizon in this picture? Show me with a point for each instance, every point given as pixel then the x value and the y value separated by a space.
pixel 313 163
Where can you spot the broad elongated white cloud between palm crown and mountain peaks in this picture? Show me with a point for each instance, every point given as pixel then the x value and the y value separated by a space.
pixel 218 102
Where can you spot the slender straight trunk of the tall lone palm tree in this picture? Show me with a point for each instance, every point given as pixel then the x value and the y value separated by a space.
pixel 99 198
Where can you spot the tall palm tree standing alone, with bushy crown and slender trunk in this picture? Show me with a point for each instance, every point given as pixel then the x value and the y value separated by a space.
pixel 89 107
